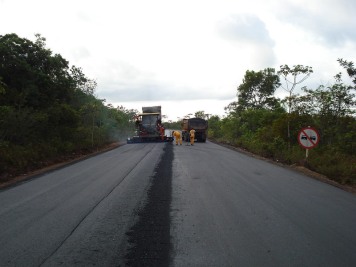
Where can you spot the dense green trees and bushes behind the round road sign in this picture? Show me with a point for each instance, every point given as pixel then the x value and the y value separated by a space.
pixel 268 126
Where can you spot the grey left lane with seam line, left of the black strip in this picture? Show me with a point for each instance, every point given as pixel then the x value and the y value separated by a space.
pixel 77 215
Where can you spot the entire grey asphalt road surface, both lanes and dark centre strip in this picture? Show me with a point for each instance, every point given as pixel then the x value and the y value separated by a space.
pixel 166 205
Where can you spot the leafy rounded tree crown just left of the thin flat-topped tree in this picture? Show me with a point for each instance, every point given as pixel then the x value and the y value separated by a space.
pixel 257 89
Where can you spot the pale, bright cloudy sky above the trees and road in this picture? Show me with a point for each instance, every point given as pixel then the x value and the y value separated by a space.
pixel 187 55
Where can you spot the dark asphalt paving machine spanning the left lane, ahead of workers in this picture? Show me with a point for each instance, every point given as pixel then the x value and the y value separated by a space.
pixel 149 127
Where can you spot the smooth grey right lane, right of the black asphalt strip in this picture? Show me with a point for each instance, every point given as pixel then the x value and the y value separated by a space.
pixel 229 209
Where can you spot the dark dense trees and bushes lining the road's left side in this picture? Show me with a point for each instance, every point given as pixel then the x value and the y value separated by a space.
pixel 48 110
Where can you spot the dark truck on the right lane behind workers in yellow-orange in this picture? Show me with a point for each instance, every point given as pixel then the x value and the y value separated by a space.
pixel 199 125
